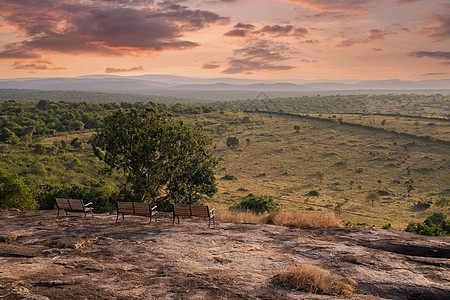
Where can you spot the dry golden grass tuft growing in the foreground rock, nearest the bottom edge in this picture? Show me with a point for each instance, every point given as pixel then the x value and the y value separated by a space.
pixel 313 279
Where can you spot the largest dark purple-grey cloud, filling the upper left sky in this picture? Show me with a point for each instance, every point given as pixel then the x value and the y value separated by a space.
pixel 112 27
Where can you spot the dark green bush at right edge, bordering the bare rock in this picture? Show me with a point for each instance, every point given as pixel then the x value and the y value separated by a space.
pixel 434 225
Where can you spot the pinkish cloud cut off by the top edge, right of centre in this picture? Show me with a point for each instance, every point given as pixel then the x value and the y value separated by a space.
pixel 348 6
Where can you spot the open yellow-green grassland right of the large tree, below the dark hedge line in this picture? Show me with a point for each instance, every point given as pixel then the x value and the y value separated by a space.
pixel 276 160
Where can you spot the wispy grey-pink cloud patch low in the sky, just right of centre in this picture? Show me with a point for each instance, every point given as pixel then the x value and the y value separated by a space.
pixel 258 55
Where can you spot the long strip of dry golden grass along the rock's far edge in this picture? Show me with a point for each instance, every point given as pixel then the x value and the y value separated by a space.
pixel 301 219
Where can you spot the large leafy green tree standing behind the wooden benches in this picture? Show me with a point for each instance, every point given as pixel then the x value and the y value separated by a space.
pixel 160 157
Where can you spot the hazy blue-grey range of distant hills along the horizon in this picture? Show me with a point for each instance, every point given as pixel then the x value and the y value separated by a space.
pixel 169 83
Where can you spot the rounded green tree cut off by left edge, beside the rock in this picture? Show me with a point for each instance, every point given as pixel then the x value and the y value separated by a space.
pixel 14 193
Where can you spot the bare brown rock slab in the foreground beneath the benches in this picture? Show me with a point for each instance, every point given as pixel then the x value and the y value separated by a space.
pixel 42 257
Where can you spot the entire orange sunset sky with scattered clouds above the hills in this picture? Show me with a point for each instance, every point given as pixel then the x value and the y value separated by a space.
pixel 252 39
